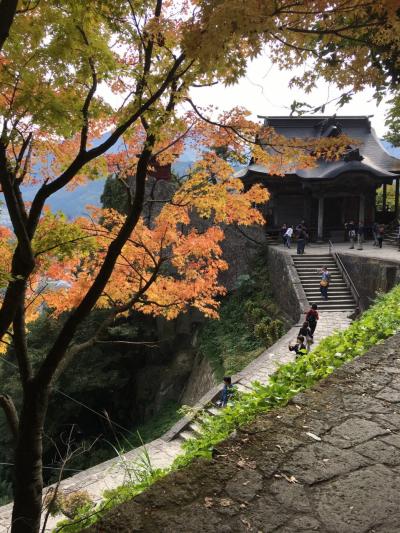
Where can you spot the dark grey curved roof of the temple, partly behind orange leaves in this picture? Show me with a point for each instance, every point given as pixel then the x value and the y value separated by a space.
pixel 376 160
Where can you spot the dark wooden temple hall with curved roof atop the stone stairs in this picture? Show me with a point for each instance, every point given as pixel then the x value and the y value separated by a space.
pixel 333 192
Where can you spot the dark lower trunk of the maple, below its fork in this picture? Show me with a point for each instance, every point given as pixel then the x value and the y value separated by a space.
pixel 28 482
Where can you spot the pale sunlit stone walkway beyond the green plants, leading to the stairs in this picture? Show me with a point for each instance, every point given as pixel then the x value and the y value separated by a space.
pixel 113 473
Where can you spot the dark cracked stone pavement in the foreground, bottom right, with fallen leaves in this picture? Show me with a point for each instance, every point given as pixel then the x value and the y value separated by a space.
pixel 327 462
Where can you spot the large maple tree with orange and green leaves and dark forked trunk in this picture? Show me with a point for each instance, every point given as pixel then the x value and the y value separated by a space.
pixel 59 61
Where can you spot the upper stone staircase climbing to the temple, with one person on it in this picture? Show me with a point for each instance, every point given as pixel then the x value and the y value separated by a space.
pixel 339 295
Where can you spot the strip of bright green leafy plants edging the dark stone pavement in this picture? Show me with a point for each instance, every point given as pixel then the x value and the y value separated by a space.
pixel 377 324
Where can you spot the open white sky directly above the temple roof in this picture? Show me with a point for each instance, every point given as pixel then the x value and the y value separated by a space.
pixel 265 91
